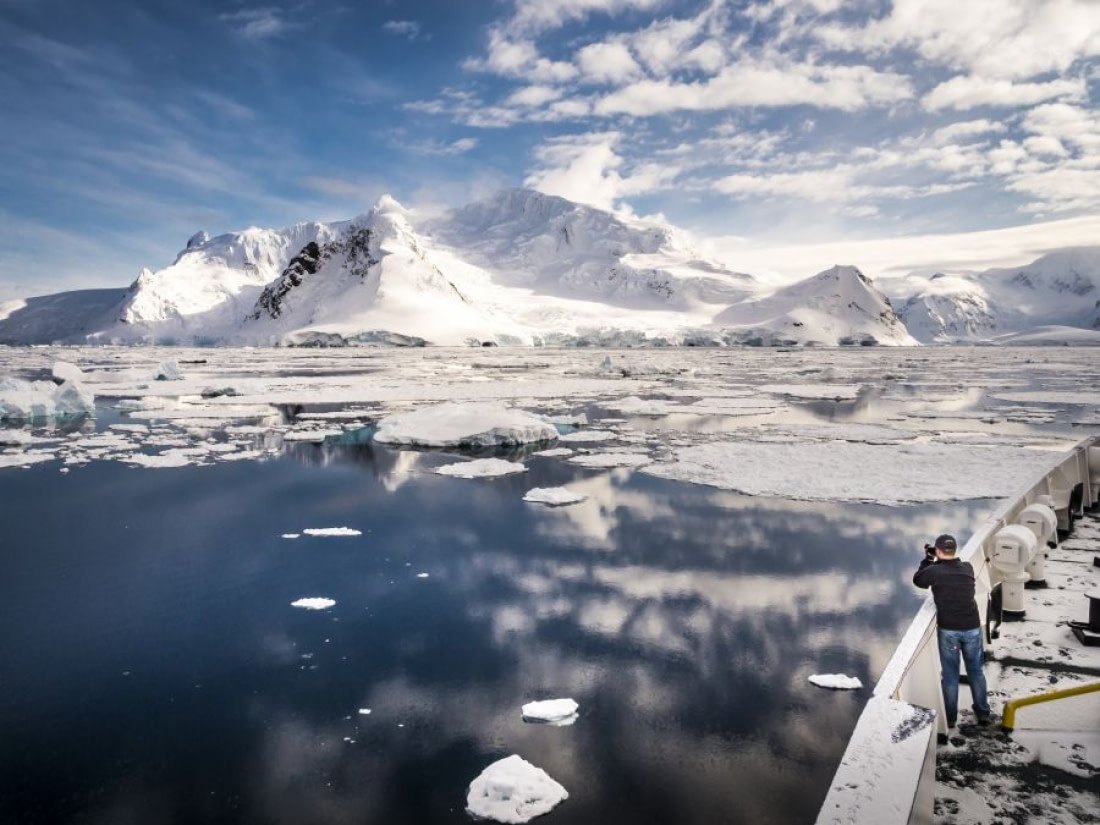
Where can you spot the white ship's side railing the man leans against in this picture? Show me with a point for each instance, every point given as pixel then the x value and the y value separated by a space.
pixel 887 775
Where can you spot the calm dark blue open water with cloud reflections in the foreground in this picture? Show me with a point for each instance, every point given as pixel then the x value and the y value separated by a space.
pixel 155 672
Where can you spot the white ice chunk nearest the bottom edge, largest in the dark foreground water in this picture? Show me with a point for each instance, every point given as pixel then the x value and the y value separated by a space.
pixel 512 790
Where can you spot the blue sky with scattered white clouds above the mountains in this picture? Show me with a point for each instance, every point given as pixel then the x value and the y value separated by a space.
pixel 915 133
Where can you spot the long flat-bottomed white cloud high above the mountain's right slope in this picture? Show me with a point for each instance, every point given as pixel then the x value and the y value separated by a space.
pixel 848 89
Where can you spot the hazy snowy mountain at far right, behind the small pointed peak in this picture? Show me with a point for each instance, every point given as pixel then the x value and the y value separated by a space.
pixel 1059 290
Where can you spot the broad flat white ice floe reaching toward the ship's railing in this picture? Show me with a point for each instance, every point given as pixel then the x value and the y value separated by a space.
pixel 856 472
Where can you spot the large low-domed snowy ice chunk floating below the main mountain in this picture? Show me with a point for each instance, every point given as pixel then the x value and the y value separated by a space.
pixel 465 425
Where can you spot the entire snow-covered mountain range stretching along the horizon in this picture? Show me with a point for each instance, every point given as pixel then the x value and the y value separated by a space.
pixel 523 268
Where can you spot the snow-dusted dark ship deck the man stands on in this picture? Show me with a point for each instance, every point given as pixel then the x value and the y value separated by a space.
pixel 1048 771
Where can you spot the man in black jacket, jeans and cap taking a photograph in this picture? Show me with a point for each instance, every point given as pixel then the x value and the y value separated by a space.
pixel 959 625
